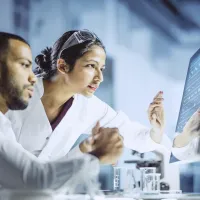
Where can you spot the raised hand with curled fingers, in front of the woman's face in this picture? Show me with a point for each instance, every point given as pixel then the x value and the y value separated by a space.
pixel 156 117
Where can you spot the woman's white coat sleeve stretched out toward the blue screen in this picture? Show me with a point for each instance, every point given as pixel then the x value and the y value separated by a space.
pixel 136 136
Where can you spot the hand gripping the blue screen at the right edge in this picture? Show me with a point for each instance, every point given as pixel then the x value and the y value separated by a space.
pixel 190 131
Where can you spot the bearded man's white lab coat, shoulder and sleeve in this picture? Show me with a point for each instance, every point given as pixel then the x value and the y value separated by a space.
pixel 20 169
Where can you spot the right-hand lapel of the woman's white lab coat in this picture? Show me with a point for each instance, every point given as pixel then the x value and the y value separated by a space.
pixel 64 135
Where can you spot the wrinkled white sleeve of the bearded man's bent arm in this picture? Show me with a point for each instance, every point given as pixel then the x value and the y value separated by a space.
pixel 20 169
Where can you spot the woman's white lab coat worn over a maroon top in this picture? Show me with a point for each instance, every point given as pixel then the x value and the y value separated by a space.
pixel 32 127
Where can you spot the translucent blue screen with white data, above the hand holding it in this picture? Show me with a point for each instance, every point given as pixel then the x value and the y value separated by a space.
pixel 191 95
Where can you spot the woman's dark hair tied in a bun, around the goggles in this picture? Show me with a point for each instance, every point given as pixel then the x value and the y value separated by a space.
pixel 47 60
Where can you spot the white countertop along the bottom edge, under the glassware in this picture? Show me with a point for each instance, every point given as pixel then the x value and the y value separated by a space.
pixel 49 195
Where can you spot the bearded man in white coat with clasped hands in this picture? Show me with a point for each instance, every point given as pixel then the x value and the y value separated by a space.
pixel 19 168
